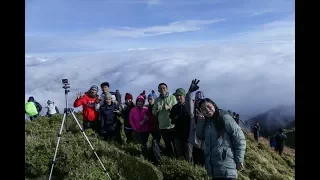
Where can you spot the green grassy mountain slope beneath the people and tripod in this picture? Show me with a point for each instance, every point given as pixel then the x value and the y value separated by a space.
pixel 126 162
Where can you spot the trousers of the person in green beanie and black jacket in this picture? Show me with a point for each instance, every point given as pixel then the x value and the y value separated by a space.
pixel 184 149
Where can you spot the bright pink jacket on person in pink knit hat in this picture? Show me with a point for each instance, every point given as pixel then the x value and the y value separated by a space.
pixel 136 116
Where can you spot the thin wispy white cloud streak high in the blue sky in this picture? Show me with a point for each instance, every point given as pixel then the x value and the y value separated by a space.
pixel 174 27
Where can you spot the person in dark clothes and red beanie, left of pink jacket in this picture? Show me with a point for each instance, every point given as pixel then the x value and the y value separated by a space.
pixel 125 115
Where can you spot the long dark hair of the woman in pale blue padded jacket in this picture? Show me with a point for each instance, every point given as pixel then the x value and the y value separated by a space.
pixel 217 119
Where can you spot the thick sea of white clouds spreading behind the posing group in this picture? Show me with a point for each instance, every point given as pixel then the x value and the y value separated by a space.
pixel 249 73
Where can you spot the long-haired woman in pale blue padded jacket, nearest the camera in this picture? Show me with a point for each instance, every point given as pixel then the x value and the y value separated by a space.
pixel 225 143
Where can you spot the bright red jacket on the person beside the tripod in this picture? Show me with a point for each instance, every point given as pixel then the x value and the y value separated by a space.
pixel 89 112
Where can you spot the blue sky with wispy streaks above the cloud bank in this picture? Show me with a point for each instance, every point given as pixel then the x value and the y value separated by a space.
pixel 62 26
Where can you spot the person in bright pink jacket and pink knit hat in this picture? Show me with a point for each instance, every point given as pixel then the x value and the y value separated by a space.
pixel 140 122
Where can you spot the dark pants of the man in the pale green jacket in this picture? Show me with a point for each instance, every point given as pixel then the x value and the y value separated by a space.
pixel 168 138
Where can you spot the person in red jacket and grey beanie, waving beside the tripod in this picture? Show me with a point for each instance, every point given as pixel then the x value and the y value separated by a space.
pixel 89 113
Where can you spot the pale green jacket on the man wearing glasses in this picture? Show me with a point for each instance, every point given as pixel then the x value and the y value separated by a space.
pixel 163 115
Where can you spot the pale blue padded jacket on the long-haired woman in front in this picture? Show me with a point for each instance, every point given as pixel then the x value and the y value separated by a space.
pixel 221 154
